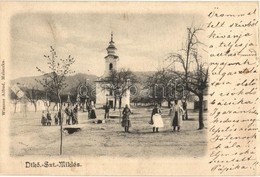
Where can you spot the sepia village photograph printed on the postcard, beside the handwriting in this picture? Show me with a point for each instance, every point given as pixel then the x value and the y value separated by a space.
pixel 126 85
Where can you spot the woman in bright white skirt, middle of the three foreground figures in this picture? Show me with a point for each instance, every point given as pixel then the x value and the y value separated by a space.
pixel 156 118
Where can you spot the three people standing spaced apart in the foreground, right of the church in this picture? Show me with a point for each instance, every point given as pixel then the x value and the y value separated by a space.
pixel 177 114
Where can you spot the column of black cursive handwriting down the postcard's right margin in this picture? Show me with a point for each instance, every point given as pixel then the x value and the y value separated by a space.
pixel 233 90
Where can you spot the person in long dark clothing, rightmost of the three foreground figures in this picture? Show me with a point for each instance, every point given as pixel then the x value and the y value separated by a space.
pixel 177 116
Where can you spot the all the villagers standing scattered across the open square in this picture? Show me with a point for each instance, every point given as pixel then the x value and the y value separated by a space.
pixel 177 114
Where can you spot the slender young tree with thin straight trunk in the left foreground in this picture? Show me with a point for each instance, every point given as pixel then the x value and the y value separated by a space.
pixel 54 81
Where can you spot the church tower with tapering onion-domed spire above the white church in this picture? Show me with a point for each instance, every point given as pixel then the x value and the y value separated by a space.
pixel 111 58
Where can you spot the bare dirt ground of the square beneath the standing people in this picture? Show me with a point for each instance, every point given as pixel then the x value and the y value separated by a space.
pixel 28 137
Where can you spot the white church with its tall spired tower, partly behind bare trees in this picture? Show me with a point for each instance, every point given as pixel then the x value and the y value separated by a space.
pixel 104 96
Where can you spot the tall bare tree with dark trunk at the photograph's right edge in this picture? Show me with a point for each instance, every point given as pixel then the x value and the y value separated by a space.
pixel 194 77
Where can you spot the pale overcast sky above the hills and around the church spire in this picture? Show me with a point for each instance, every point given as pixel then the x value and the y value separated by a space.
pixel 142 40
